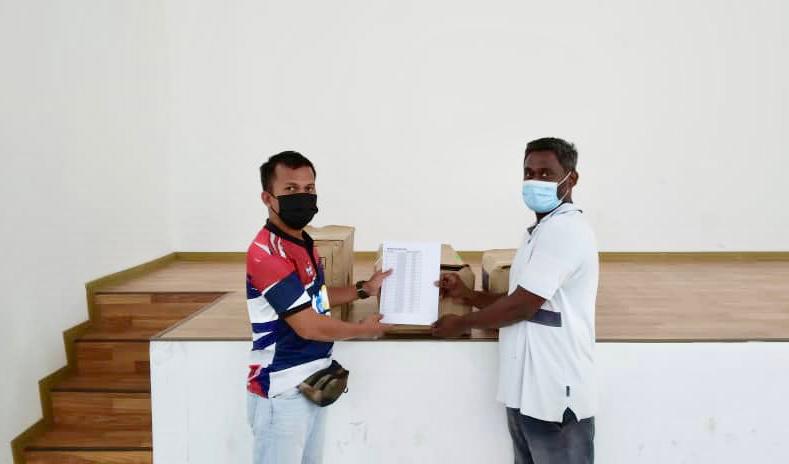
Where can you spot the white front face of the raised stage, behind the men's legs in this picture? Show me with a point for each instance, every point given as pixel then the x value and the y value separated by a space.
pixel 659 403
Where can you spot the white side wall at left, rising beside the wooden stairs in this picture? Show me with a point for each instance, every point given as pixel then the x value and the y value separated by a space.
pixel 82 176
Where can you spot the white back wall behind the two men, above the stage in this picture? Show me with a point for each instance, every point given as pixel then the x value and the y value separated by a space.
pixel 417 114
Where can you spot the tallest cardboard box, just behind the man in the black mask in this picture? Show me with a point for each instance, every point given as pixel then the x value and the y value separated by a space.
pixel 335 248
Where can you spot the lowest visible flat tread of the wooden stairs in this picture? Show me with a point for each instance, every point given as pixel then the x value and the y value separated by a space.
pixel 81 439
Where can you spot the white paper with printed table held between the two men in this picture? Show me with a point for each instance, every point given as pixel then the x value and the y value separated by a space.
pixel 409 295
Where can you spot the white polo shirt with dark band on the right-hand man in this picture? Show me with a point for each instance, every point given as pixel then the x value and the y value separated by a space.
pixel 546 364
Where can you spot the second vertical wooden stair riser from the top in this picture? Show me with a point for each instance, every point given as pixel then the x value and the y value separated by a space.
pixel 112 357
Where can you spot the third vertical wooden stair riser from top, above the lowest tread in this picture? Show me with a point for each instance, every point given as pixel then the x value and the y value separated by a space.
pixel 101 410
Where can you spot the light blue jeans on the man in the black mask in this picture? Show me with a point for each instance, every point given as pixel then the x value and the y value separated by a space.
pixel 287 429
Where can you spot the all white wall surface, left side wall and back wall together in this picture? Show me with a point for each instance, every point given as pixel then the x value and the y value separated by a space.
pixel 132 129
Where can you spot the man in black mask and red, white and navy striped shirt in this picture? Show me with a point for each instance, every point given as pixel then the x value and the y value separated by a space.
pixel 288 305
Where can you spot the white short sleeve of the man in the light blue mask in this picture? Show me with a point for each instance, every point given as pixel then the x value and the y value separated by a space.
pixel 553 260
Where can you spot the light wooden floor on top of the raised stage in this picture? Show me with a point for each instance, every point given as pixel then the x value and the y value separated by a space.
pixel 678 299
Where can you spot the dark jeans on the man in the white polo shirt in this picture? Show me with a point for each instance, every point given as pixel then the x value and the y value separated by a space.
pixel 538 442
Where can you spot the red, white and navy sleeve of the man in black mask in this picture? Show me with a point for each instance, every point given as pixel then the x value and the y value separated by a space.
pixel 278 282
